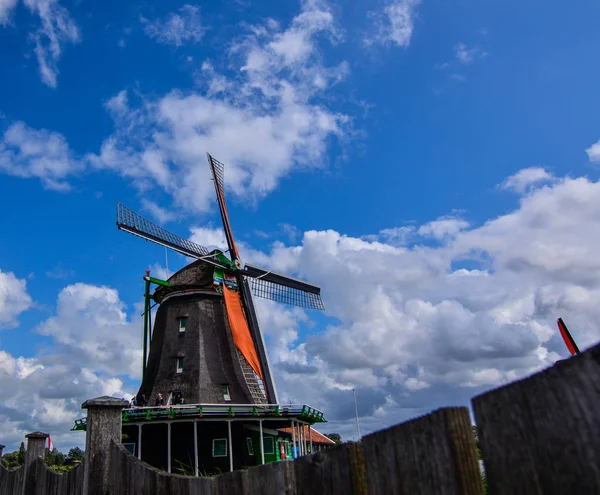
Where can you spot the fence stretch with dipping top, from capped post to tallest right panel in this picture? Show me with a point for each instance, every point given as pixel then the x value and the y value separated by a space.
pixel 410 458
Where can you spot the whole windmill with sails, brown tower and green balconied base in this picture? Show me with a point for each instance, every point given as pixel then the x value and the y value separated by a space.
pixel 206 357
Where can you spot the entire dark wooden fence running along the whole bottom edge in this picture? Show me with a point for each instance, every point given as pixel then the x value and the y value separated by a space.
pixel 540 435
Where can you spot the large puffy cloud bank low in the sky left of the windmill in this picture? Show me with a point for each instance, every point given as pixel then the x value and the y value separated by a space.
pixel 94 347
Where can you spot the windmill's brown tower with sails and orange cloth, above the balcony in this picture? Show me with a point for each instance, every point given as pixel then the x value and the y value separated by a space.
pixel 210 303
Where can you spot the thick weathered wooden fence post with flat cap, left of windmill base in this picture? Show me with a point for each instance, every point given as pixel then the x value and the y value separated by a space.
pixel 103 426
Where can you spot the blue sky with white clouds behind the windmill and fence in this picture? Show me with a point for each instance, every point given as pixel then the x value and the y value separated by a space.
pixel 422 161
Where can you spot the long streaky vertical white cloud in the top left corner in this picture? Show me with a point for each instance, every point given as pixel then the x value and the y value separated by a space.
pixel 57 28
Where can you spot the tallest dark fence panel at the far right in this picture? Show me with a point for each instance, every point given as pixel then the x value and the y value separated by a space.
pixel 541 435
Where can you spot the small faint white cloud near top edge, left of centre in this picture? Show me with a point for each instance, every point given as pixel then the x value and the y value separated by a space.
pixel 177 28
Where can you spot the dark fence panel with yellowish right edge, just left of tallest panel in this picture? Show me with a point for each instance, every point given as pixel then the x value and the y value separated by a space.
pixel 434 454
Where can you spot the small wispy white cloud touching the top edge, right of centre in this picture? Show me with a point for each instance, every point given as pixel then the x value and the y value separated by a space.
pixel 394 23
